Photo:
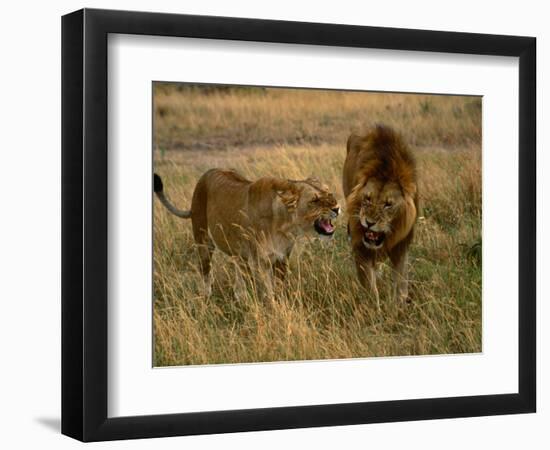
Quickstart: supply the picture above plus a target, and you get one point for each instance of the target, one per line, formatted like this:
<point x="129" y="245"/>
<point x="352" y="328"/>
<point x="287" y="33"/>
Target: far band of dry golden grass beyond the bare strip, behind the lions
<point x="187" y="118"/>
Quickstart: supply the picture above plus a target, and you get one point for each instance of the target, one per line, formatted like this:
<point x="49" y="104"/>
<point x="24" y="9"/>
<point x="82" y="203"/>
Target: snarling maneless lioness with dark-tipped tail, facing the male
<point x="257" y="222"/>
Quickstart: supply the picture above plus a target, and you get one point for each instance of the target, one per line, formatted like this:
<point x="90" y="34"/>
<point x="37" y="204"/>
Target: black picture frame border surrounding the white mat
<point x="84" y="224"/>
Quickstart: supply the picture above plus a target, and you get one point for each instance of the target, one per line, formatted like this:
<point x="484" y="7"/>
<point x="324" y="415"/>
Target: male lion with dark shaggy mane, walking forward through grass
<point x="380" y="185"/>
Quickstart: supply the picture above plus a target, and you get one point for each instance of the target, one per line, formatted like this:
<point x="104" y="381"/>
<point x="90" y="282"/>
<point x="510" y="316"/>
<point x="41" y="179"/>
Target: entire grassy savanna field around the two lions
<point x="322" y="313"/>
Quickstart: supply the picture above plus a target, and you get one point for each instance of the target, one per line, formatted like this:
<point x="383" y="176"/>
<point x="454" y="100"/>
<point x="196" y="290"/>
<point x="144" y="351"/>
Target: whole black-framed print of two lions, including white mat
<point x="273" y="224"/>
